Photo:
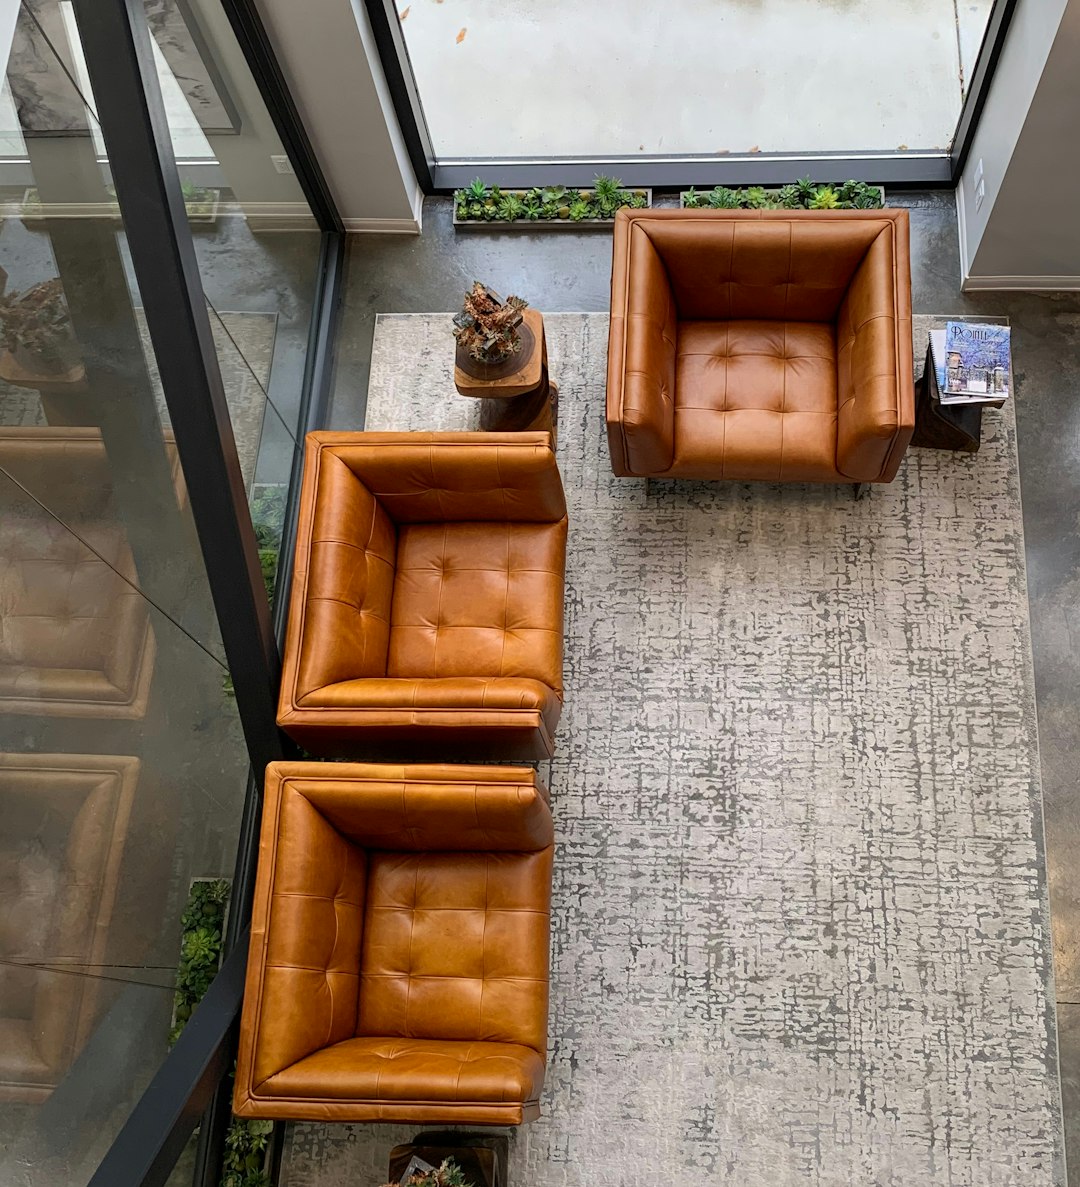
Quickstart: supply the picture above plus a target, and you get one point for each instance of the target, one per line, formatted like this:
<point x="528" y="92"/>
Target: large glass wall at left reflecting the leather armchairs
<point x="123" y="765"/>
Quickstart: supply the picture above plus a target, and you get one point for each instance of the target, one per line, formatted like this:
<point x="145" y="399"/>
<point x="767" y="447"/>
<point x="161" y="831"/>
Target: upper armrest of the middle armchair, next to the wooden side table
<point x="453" y="478"/>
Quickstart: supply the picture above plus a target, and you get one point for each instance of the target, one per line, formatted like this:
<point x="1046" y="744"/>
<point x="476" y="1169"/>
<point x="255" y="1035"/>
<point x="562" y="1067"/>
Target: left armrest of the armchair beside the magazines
<point x="641" y="357"/>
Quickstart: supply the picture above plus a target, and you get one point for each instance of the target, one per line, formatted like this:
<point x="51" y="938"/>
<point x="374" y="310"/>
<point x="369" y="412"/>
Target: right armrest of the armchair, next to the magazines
<point x="876" y="397"/>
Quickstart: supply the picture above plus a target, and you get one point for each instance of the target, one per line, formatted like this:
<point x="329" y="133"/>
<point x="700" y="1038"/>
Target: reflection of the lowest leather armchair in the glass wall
<point x="66" y="820"/>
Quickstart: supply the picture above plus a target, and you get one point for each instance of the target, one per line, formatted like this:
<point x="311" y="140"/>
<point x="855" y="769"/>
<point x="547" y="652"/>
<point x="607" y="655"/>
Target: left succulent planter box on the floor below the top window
<point x="480" y="205"/>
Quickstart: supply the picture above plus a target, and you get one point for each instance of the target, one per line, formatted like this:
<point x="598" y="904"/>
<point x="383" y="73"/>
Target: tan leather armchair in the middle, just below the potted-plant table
<point x="427" y="613"/>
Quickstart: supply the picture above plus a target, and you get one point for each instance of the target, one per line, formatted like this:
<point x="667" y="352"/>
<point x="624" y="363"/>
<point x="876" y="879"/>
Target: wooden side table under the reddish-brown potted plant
<point x="518" y="393"/>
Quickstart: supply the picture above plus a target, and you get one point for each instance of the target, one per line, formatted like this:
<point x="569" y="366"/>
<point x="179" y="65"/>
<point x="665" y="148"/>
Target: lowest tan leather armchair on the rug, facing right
<point x="399" y="956"/>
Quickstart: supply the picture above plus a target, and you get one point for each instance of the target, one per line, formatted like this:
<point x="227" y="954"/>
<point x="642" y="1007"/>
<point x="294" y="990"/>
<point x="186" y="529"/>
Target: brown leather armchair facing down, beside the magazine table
<point x="761" y="345"/>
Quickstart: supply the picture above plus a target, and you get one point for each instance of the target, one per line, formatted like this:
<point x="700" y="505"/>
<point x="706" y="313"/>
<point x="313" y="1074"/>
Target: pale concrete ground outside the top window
<point x="690" y="77"/>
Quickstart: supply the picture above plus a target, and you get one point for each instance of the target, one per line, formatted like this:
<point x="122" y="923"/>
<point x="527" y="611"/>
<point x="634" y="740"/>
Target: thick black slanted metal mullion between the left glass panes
<point x="120" y="62"/>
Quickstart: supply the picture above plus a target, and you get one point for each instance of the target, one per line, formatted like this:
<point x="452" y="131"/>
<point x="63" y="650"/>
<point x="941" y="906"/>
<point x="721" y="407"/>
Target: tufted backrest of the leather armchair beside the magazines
<point x="763" y="266"/>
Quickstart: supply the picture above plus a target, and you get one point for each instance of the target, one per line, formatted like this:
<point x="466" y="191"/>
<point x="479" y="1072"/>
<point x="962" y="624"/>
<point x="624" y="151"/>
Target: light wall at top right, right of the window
<point x="1027" y="234"/>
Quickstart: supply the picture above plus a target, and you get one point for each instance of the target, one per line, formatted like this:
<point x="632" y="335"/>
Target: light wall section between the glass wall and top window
<point x="328" y="55"/>
